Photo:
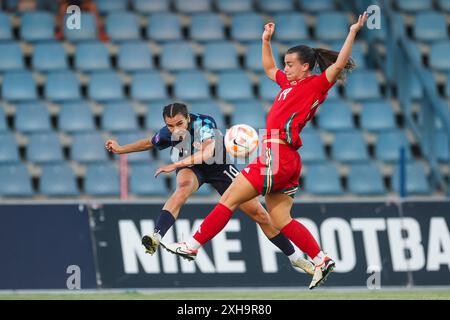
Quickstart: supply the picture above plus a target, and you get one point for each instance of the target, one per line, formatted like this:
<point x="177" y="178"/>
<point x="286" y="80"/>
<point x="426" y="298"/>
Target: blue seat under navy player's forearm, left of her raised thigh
<point x="144" y="183"/>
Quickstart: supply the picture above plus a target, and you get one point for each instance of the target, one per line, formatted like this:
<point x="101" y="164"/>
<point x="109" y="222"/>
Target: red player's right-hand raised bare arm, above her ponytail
<point x="333" y="71"/>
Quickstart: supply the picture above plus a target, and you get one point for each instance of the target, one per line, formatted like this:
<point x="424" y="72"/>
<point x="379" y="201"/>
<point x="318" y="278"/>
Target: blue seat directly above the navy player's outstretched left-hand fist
<point x="119" y="117"/>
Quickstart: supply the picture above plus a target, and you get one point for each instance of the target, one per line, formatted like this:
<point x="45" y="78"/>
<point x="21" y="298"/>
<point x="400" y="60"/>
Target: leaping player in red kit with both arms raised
<point x="275" y="174"/>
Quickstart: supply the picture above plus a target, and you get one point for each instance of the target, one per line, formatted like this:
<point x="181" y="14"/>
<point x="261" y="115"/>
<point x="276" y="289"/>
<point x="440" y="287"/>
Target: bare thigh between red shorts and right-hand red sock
<point x="279" y="206"/>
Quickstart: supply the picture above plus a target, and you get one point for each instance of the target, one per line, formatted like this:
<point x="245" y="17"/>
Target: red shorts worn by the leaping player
<point x="277" y="169"/>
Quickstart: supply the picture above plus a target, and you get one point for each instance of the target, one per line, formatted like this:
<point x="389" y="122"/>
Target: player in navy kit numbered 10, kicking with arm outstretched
<point x="186" y="133"/>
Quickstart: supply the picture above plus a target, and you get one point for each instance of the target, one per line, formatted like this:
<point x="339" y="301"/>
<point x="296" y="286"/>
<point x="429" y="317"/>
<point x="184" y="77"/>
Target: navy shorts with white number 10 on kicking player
<point x="220" y="176"/>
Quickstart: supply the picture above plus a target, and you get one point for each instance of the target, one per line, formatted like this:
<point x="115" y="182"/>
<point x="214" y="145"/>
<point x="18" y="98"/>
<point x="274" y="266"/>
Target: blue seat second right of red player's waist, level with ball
<point x="349" y="147"/>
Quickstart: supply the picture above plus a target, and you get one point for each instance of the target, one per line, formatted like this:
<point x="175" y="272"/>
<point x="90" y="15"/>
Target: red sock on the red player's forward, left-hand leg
<point x="214" y="222"/>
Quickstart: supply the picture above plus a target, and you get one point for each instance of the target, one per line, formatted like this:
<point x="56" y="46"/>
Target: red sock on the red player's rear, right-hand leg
<point x="301" y="237"/>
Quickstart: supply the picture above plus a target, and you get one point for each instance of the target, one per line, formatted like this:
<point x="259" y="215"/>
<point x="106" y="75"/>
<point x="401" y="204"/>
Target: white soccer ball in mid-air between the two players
<point x="241" y="140"/>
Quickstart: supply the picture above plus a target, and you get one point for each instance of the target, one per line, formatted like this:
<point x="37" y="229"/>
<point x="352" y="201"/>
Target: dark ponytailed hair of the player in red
<point x="322" y="57"/>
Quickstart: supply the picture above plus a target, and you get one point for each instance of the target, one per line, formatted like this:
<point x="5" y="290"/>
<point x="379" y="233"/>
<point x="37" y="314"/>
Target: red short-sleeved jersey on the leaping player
<point x="295" y="105"/>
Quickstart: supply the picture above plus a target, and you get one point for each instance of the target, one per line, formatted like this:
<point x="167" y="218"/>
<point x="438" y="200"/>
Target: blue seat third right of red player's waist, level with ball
<point x="387" y="147"/>
